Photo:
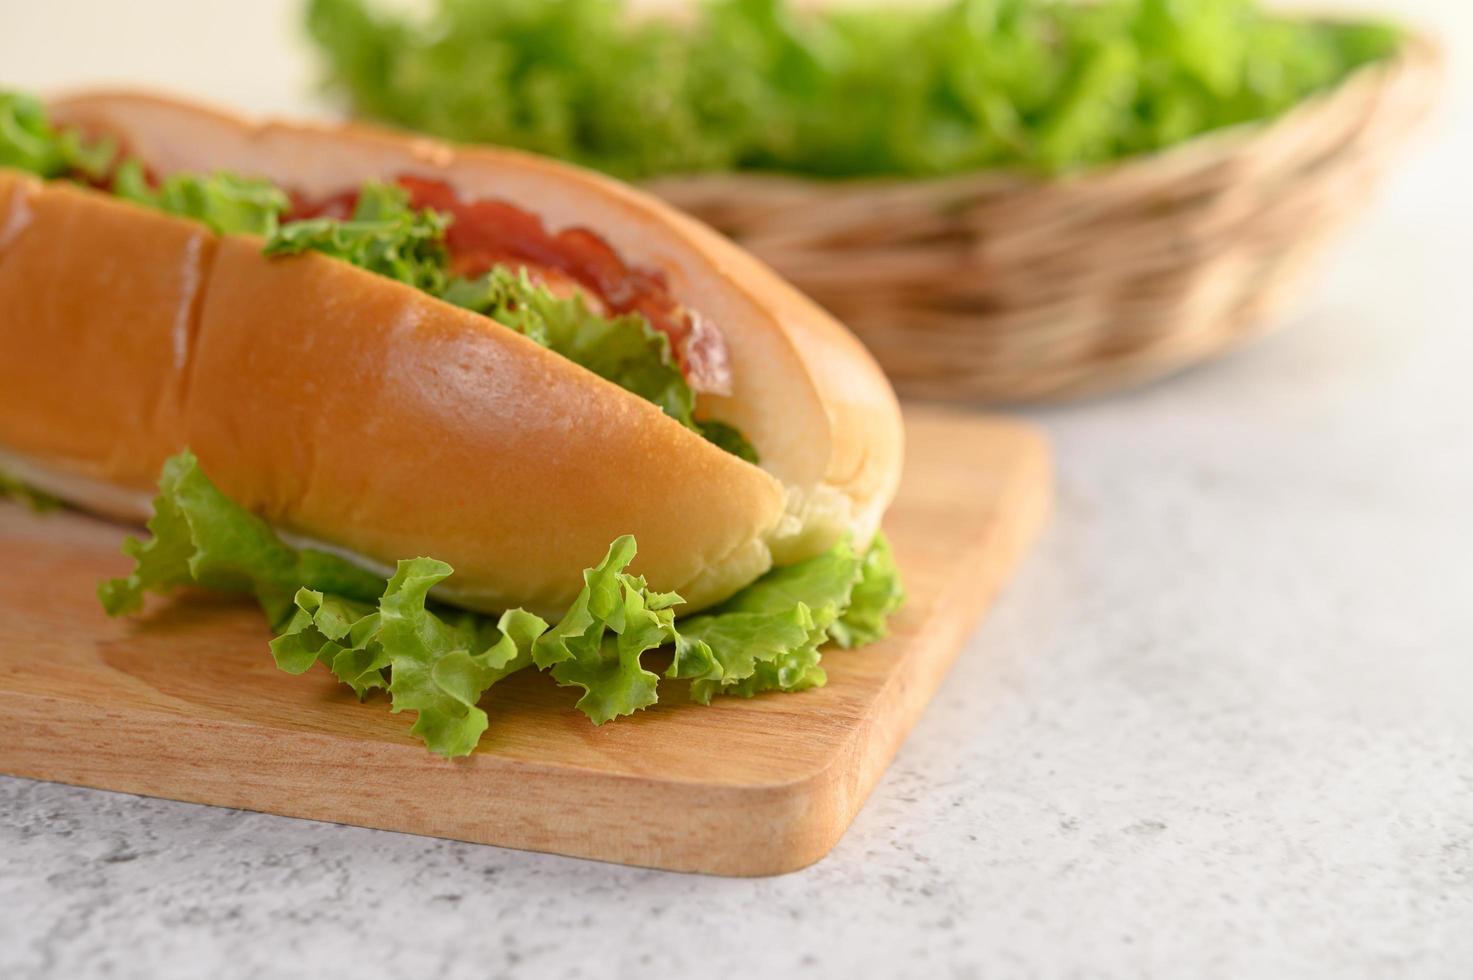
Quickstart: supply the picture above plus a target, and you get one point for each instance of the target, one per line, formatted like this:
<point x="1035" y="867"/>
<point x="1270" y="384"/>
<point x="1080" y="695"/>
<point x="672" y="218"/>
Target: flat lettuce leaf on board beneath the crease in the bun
<point x="201" y="537"/>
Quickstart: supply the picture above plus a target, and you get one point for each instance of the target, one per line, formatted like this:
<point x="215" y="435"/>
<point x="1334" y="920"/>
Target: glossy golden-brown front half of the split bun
<point x="347" y="410"/>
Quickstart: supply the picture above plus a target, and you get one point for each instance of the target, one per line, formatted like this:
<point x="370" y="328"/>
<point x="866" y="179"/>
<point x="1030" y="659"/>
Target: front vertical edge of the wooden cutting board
<point x="764" y="829"/>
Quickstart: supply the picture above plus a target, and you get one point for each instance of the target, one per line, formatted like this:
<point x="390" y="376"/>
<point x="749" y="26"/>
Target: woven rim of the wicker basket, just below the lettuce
<point x="1419" y="52"/>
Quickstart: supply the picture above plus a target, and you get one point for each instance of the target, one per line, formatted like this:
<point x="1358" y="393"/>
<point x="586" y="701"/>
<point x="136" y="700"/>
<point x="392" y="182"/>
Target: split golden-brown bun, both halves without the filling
<point x="360" y="413"/>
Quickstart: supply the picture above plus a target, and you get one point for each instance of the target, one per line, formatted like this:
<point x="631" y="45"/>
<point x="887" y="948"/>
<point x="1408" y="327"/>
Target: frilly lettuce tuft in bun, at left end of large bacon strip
<point x="385" y="237"/>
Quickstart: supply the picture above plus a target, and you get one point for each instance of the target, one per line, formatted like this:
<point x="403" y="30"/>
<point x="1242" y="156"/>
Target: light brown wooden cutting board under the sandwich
<point x="186" y="704"/>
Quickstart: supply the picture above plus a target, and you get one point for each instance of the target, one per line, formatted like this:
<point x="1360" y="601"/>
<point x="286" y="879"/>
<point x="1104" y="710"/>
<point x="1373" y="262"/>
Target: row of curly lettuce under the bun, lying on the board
<point x="440" y="662"/>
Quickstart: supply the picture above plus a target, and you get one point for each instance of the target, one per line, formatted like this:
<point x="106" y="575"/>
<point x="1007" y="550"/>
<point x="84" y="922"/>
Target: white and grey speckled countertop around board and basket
<point x="1220" y="726"/>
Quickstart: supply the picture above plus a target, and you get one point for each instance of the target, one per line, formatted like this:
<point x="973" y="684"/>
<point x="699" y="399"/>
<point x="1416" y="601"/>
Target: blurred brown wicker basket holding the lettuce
<point x="1001" y="288"/>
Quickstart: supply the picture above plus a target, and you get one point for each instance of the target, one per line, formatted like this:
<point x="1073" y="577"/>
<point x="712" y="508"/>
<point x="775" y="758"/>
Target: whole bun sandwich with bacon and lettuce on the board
<point x="381" y="379"/>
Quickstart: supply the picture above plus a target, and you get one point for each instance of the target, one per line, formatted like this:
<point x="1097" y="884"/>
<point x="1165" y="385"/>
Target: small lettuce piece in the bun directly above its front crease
<point x="226" y="203"/>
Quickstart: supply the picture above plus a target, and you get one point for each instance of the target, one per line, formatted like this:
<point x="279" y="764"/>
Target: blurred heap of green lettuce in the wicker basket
<point x="758" y="85"/>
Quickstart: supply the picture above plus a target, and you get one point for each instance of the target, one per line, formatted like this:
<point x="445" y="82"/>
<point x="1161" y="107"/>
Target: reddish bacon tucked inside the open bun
<point x="487" y="234"/>
